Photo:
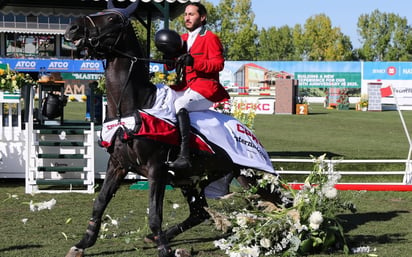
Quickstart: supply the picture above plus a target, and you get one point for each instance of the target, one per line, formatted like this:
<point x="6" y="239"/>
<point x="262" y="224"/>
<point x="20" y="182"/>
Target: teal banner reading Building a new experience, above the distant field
<point x="329" y="79"/>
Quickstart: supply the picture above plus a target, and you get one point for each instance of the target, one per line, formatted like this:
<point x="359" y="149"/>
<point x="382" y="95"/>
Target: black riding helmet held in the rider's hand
<point x="169" y="42"/>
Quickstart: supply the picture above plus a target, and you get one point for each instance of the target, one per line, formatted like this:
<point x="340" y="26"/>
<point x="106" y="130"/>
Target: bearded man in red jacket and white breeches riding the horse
<point x="200" y="86"/>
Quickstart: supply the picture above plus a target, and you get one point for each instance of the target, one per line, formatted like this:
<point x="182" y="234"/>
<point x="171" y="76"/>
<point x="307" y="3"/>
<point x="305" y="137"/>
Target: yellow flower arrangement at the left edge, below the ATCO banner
<point x="12" y="81"/>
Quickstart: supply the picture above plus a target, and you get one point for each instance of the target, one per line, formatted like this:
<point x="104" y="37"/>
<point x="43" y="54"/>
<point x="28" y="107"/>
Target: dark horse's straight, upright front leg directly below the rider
<point x="157" y="180"/>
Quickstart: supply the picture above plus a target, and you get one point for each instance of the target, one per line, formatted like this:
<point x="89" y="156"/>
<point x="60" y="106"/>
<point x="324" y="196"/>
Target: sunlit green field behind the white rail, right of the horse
<point x="346" y="133"/>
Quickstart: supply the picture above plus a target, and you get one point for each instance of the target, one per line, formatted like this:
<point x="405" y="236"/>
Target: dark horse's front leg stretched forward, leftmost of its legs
<point x="114" y="176"/>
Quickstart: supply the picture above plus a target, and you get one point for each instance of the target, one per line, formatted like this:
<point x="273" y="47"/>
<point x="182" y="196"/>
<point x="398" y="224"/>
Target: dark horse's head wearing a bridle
<point x="100" y="32"/>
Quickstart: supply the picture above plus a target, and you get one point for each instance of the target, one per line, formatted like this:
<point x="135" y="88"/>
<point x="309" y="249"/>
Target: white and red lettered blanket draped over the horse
<point x="236" y="139"/>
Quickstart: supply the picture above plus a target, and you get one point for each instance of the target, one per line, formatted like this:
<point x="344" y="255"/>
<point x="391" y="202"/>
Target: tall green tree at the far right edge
<point x="385" y="37"/>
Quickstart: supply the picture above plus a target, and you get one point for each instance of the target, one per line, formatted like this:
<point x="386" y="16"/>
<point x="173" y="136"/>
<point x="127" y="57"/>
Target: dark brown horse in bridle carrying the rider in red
<point x="109" y="35"/>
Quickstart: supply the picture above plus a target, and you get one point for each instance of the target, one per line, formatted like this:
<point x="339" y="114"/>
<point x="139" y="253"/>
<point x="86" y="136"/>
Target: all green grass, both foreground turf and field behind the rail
<point x="382" y="222"/>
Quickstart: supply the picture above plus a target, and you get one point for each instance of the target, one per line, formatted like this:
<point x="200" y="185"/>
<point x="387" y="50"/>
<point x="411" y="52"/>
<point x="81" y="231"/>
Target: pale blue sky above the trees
<point x="343" y="14"/>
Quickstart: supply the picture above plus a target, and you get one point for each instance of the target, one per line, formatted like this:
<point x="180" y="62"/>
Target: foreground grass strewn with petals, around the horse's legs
<point x="382" y="222"/>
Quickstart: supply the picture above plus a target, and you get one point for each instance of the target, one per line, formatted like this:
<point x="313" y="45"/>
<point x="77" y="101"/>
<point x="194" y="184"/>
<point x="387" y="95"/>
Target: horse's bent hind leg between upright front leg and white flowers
<point x="197" y="203"/>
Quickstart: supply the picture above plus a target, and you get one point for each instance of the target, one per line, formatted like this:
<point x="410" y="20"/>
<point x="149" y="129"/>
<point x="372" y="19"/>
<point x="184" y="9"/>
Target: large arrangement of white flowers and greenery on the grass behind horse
<point x="308" y="224"/>
